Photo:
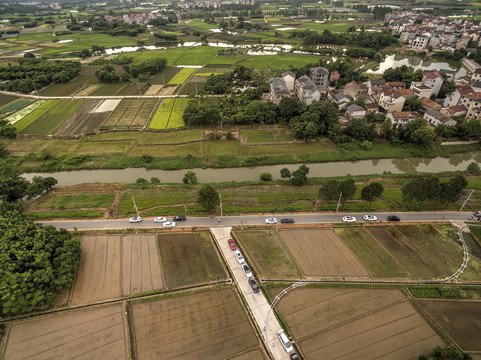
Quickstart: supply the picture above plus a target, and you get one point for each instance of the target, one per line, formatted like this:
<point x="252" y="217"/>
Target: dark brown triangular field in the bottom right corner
<point x="461" y="320"/>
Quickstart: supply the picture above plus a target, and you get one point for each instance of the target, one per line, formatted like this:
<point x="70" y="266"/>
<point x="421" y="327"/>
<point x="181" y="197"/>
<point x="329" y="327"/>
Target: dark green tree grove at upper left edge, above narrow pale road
<point x="33" y="74"/>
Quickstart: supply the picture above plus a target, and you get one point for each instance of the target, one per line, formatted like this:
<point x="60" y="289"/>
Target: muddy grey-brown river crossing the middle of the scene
<point x="329" y="169"/>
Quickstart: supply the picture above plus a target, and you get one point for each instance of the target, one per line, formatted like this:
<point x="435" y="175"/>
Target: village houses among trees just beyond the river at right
<point x="382" y="97"/>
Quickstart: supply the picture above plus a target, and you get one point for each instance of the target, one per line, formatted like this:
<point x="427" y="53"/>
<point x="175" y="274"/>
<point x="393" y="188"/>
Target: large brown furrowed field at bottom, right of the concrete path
<point x="333" y="323"/>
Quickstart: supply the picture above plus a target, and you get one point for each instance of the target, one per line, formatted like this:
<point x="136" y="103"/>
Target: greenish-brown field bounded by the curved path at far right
<point x="407" y="251"/>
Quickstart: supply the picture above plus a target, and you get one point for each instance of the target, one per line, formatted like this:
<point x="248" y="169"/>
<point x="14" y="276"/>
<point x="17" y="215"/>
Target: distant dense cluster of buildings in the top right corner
<point x="422" y="31"/>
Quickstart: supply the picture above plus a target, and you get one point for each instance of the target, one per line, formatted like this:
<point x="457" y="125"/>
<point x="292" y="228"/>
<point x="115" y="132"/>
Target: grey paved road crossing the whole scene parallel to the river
<point x="319" y="218"/>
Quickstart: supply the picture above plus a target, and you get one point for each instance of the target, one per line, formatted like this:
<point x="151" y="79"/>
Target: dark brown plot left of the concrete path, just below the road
<point x="189" y="258"/>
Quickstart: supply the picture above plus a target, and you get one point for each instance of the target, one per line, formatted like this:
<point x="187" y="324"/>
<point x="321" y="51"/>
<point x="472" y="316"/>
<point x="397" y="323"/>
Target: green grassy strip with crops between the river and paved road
<point x="115" y="200"/>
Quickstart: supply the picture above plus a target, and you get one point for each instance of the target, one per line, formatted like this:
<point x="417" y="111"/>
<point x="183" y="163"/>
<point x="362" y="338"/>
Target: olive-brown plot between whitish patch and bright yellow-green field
<point x="131" y="113"/>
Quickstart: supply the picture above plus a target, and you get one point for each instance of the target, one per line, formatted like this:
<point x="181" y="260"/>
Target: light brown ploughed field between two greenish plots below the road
<point x="322" y="253"/>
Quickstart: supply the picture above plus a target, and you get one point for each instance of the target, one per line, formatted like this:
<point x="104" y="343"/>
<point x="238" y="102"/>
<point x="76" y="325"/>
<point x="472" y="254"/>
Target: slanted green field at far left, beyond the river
<point x="51" y="119"/>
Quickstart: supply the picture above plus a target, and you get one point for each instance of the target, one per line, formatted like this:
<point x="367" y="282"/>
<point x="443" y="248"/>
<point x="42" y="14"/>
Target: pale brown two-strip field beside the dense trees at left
<point x="112" y="266"/>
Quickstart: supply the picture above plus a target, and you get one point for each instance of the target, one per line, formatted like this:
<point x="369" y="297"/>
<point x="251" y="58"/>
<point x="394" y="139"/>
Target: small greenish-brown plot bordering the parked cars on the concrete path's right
<point x="266" y="251"/>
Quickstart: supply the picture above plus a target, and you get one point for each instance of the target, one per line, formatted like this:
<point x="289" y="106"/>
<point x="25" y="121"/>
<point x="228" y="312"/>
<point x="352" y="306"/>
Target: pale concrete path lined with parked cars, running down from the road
<point x="257" y="302"/>
